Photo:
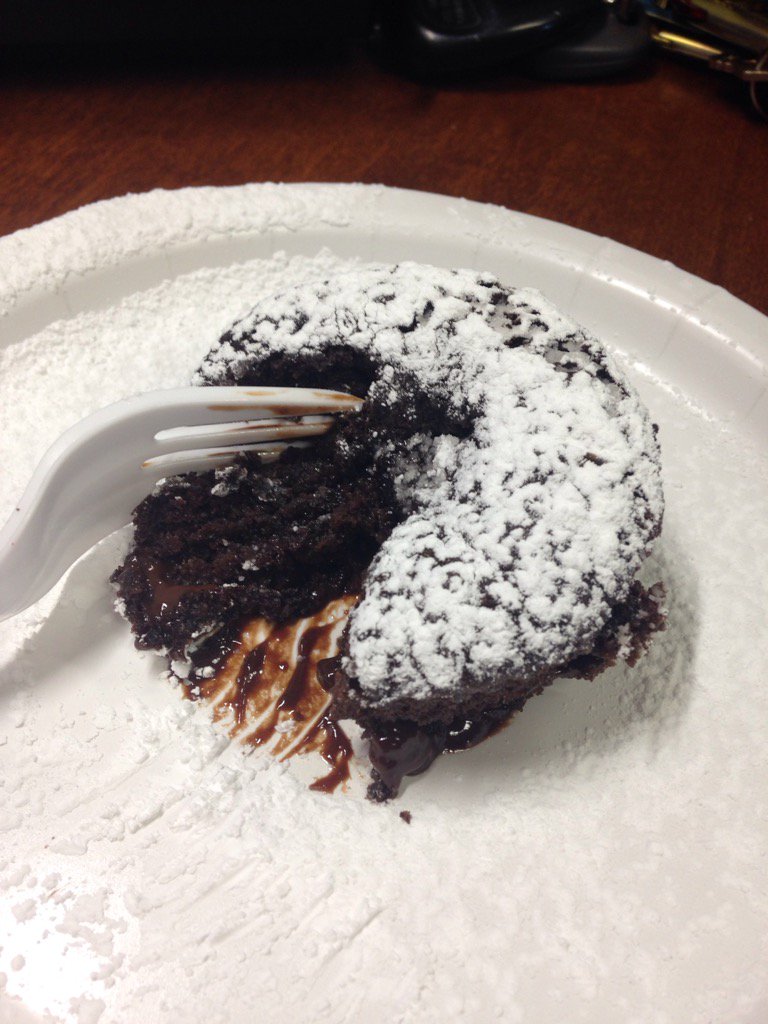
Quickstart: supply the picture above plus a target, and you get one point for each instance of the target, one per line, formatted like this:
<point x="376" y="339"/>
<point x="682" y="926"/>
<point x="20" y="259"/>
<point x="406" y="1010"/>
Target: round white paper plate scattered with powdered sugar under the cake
<point x="603" y="860"/>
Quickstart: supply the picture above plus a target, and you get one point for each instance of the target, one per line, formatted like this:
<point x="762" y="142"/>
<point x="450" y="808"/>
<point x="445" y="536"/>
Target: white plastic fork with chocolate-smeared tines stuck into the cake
<point x="94" y="477"/>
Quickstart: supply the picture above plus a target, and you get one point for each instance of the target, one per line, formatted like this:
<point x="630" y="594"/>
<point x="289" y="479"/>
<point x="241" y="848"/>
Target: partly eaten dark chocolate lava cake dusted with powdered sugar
<point x="491" y="504"/>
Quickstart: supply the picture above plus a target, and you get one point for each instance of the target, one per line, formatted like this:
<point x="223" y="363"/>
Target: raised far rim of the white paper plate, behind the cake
<point x="57" y="270"/>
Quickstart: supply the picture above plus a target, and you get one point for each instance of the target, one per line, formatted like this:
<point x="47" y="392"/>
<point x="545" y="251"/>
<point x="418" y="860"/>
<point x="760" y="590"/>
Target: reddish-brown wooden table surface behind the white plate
<point x="672" y="162"/>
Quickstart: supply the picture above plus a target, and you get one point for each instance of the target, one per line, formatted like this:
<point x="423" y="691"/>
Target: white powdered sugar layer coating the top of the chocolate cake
<point x="522" y="537"/>
